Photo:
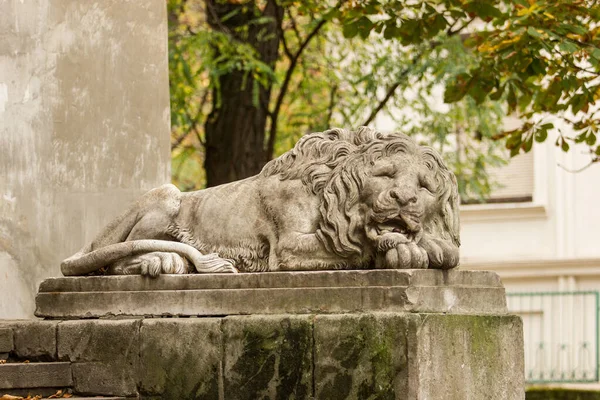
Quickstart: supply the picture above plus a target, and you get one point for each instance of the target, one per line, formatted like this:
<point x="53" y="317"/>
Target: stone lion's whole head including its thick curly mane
<point x="378" y="193"/>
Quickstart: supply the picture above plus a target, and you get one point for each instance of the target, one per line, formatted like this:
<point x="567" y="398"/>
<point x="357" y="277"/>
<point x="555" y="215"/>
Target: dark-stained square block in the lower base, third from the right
<point x="268" y="357"/>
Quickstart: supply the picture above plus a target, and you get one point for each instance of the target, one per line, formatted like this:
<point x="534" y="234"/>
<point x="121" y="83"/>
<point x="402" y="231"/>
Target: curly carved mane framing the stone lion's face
<point x="332" y="164"/>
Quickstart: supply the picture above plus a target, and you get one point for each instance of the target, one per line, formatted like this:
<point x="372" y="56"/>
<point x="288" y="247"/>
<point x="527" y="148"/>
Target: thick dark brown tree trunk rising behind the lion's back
<point x="235" y="129"/>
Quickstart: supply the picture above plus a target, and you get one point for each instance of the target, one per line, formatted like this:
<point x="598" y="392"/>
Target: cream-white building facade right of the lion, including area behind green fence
<point x="546" y="249"/>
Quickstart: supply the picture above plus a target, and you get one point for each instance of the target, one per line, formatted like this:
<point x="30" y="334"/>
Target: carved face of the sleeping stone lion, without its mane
<point x="397" y="198"/>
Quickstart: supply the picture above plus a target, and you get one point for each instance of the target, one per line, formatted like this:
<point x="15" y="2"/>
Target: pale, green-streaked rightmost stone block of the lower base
<point x="458" y="357"/>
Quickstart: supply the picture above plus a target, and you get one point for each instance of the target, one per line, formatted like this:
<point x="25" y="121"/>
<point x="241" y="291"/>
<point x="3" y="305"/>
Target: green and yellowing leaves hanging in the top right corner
<point x="538" y="57"/>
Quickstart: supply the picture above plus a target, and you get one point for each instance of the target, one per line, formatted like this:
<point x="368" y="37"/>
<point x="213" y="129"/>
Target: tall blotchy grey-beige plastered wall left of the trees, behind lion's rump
<point x="84" y="128"/>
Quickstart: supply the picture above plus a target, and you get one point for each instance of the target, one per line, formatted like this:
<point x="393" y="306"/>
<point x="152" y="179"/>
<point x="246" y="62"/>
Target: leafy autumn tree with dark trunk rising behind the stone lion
<point x="240" y="68"/>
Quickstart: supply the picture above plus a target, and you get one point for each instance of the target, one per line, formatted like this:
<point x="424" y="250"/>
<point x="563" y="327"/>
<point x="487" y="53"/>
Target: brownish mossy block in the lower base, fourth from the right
<point x="180" y="358"/>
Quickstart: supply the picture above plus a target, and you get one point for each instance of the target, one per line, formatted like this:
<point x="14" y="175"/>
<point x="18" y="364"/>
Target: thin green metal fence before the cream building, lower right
<point x="561" y="335"/>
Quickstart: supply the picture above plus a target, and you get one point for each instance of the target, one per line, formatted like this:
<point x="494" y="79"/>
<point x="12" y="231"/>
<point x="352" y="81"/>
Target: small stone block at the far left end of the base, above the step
<point x="34" y="339"/>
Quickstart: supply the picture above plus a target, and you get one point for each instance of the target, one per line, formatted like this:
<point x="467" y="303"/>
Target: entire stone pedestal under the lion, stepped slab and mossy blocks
<point x="379" y="334"/>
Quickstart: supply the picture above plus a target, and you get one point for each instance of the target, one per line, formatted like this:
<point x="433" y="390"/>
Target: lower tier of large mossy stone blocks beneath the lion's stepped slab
<point x="406" y="356"/>
